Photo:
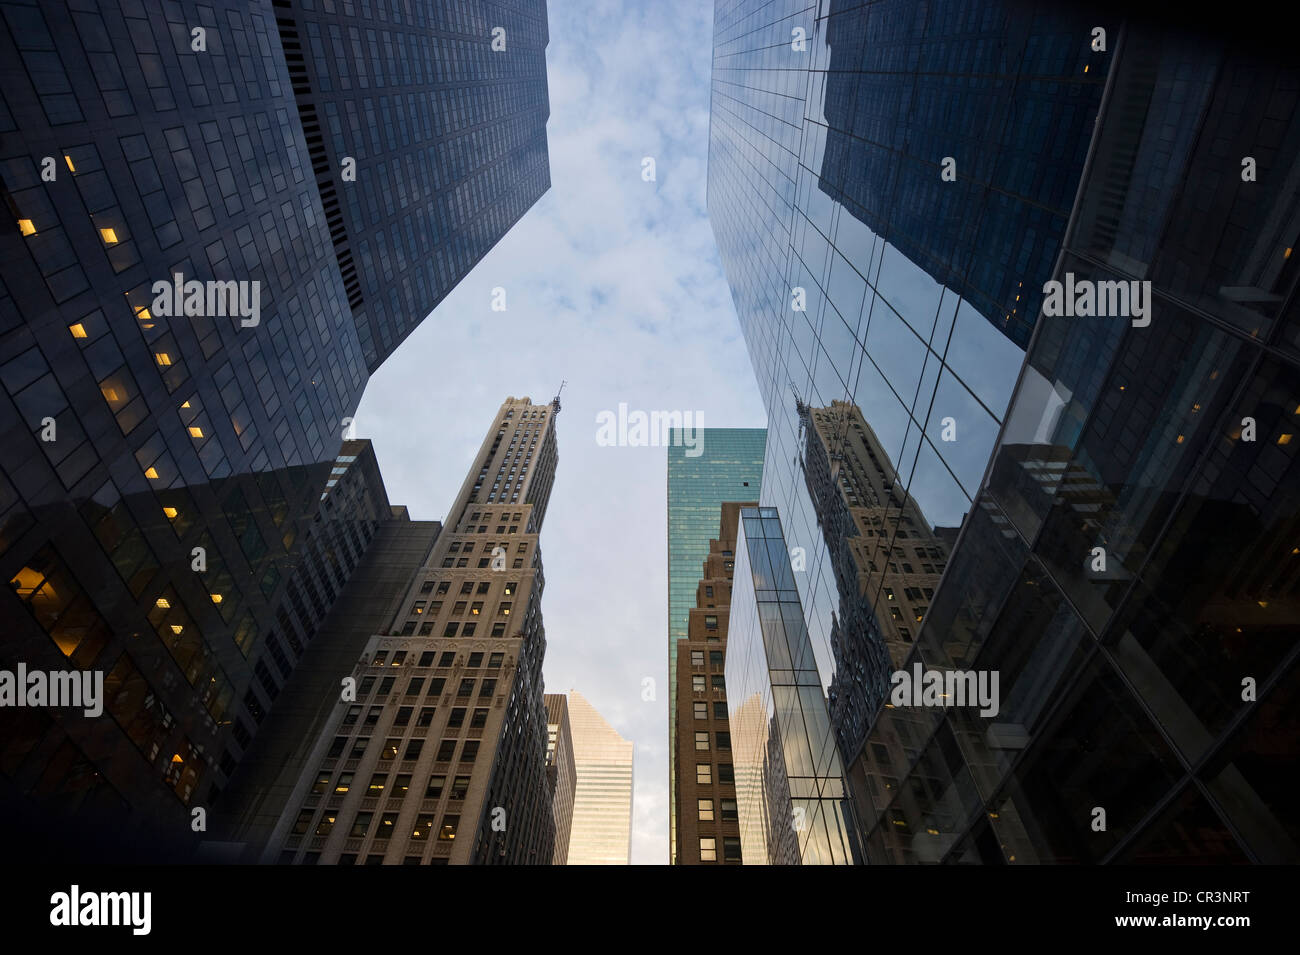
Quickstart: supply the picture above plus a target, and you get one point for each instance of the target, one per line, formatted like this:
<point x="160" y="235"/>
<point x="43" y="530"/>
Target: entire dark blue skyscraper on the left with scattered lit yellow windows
<point x="149" y="147"/>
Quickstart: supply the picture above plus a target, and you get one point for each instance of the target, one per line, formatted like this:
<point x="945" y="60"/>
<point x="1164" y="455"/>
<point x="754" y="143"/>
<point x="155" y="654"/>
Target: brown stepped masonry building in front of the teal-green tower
<point x="708" y="823"/>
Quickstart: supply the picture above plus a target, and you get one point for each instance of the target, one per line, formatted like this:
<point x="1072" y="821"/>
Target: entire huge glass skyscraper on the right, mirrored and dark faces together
<point x="1123" y="558"/>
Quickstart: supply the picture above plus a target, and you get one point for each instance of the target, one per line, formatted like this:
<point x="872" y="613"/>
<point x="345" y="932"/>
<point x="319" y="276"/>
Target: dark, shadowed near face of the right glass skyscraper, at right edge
<point x="1151" y="685"/>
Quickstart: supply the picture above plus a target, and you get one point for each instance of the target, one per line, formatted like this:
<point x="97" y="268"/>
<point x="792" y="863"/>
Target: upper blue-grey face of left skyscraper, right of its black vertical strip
<point x="447" y="132"/>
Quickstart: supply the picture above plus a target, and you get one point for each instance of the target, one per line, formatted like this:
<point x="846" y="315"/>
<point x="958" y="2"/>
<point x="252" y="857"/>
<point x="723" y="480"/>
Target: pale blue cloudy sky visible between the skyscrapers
<point x="616" y="286"/>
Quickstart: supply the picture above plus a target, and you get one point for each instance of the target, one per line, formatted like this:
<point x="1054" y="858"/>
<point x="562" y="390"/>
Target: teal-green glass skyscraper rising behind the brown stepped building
<point x="727" y="466"/>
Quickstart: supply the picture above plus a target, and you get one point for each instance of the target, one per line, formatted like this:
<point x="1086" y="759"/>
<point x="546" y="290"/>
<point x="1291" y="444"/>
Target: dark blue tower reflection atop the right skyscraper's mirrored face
<point x="1008" y="90"/>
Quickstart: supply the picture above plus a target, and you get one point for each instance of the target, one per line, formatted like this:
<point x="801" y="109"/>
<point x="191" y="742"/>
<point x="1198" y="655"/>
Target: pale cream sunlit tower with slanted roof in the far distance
<point x="603" y="800"/>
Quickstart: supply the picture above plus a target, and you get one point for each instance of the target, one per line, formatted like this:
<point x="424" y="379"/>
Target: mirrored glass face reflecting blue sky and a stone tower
<point x="886" y="309"/>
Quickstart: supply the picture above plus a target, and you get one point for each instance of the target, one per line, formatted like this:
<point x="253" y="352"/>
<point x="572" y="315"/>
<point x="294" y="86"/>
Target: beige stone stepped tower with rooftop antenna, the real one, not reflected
<point x="440" y="754"/>
